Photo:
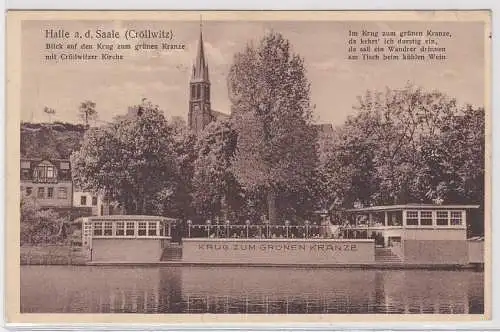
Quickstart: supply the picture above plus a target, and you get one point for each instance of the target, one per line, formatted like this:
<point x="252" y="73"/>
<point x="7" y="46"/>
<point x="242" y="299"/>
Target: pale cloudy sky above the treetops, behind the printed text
<point x="163" y="76"/>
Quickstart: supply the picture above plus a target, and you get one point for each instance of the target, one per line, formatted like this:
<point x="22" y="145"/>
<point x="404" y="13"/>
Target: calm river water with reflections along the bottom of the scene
<point x="79" y="289"/>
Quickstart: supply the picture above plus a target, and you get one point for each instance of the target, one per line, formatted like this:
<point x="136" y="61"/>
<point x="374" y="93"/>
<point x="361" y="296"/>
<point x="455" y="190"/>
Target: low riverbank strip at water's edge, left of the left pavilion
<point x="52" y="255"/>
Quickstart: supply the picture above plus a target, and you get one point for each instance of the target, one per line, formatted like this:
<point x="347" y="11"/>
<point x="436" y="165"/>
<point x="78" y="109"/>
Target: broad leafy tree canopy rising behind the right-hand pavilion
<point x="407" y="146"/>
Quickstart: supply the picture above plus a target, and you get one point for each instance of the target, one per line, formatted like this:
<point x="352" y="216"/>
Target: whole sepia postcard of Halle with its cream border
<point x="249" y="163"/>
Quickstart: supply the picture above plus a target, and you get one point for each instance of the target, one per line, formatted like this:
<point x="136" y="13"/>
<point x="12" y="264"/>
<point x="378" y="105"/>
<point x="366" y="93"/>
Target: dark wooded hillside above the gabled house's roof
<point x="50" y="140"/>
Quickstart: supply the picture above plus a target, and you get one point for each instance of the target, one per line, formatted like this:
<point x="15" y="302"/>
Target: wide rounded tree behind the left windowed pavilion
<point x="130" y="160"/>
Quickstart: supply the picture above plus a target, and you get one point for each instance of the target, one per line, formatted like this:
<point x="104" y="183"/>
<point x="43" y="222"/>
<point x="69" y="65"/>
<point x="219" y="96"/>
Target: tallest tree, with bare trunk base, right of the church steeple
<point x="269" y="93"/>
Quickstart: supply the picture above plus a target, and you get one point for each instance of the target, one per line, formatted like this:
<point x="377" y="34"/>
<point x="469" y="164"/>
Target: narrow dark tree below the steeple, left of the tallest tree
<point x="215" y="190"/>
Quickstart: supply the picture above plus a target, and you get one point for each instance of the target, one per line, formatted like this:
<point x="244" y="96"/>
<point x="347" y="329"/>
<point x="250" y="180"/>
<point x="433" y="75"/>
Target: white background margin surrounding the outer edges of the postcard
<point x="494" y="324"/>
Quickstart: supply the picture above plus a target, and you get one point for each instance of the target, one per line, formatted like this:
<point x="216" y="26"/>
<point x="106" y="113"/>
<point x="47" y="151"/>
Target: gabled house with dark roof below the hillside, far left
<point x="48" y="181"/>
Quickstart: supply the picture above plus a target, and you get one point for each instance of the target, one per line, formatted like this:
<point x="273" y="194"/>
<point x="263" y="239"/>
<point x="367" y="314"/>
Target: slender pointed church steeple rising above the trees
<point x="200" y="114"/>
